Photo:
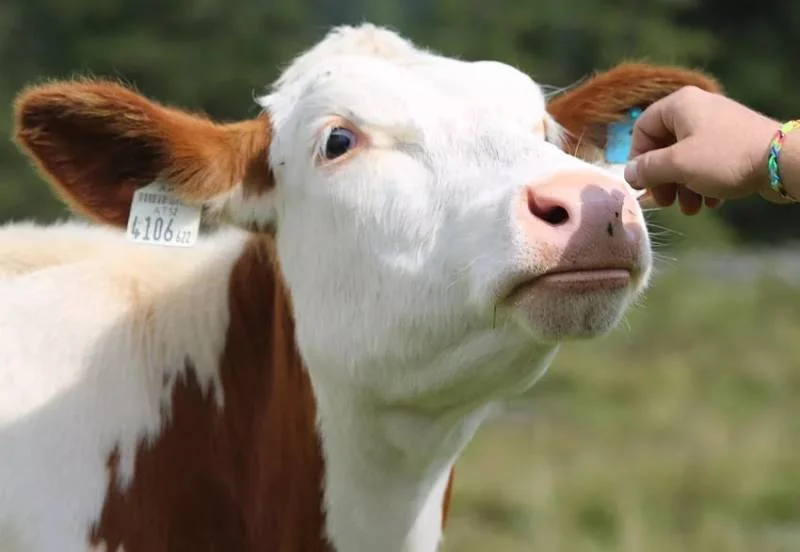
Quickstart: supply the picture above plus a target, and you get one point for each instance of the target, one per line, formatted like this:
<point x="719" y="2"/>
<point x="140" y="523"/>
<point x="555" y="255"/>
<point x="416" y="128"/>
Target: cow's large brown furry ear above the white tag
<point x="97" y="142"/>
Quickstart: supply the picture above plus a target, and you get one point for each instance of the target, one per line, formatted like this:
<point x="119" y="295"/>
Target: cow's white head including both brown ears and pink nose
<point x="426" y="211"/>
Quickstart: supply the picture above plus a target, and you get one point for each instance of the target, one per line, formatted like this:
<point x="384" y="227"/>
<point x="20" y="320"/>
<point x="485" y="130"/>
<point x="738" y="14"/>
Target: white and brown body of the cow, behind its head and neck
<point x="201" y="414"/>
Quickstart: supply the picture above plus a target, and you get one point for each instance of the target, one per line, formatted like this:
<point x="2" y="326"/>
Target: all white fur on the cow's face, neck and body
<point x="393" y="260"/>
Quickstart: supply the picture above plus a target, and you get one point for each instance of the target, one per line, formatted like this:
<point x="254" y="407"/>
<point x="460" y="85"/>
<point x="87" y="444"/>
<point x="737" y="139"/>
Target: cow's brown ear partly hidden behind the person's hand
<point x="587" y="109"/>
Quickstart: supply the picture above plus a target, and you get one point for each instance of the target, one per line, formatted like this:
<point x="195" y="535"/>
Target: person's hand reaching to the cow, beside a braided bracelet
<point x="699" y="147"/>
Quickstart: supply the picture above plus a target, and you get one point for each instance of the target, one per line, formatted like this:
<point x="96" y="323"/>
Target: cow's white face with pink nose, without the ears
<point x="419" y="199"/>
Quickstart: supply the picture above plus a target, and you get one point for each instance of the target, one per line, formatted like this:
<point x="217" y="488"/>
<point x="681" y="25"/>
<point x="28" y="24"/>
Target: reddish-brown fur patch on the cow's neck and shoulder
<point x="247" y="478"/>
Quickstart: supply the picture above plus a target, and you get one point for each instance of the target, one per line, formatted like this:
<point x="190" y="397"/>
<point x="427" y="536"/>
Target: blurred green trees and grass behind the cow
<point x="681" y="431"/>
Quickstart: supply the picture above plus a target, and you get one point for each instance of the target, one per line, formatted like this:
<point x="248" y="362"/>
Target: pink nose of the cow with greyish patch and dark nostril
<point x="582" y="217"/>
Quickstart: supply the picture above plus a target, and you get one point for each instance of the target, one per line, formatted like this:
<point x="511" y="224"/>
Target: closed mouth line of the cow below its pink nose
<point x="584" y="280"/>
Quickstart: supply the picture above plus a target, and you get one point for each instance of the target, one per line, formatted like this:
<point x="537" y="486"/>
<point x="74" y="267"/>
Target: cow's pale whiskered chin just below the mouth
<point x="556" y="313"/>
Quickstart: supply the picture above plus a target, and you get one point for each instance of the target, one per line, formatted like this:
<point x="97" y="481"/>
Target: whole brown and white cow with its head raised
<point x="396" y="243"/>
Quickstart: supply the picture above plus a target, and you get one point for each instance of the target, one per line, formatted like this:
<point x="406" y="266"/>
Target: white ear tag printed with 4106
<point x="159" y="218"/>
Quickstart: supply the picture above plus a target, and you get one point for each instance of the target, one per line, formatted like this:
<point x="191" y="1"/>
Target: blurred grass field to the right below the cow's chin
<point x="679" y="432"/>
